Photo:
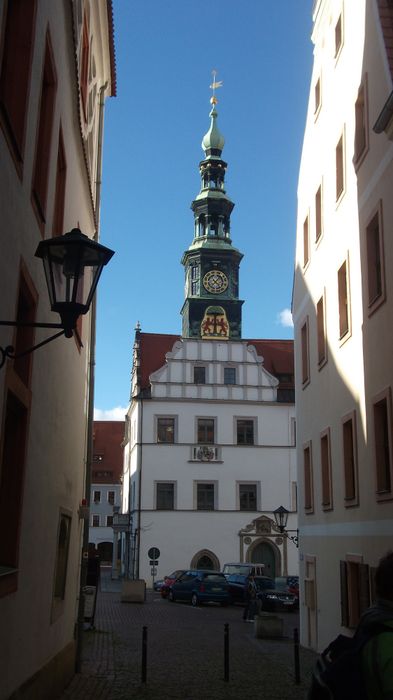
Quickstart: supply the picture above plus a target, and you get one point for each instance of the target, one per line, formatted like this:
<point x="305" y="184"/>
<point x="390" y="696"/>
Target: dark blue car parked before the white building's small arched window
<point x="200" y="586"/>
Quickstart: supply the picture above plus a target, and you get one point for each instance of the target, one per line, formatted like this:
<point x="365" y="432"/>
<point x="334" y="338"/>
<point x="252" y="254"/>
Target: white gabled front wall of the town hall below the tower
<point x="225" y="532"/>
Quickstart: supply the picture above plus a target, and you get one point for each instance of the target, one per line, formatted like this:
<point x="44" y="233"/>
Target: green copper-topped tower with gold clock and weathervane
<point x="212" y="308"/>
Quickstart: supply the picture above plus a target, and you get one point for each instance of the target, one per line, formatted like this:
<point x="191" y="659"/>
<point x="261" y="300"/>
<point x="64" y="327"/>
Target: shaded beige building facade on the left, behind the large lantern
<point x="56" y="69"/>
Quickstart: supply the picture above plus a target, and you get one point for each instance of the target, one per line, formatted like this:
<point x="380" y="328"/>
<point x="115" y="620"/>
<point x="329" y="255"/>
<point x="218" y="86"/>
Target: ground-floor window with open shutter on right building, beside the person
<point x="355" y="590"/>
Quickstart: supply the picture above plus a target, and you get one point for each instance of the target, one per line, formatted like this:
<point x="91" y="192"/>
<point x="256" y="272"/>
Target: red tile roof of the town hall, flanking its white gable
<point x="277" y="354"/>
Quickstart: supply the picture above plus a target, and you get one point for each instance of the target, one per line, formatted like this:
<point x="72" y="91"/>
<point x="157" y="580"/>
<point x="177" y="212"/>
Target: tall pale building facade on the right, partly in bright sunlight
<point x="343" y="336"/>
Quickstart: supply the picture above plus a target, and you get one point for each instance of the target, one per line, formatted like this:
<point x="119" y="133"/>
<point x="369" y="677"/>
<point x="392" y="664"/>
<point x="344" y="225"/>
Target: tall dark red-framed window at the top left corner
<point x="18" y="40"/>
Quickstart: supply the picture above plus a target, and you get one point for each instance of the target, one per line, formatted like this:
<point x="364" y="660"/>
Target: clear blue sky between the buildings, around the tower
<point x="165" y="53"/>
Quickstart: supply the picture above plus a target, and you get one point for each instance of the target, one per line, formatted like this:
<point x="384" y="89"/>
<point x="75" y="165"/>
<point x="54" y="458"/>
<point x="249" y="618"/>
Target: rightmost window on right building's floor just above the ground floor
<point x="383" y="444"/>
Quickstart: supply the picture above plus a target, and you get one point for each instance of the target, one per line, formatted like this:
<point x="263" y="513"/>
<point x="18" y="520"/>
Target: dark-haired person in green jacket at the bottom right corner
<point x="377" y="655"/>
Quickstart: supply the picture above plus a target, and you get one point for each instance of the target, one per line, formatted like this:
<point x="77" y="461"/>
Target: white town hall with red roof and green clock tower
<point x="210" y="430"/>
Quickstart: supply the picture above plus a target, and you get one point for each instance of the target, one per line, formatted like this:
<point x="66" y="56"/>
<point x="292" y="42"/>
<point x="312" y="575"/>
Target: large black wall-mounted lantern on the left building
<point x="66" y="261"/>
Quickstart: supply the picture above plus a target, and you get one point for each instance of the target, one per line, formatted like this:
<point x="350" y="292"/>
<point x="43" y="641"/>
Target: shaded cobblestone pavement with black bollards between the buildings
<point x="185" y="657"/>
